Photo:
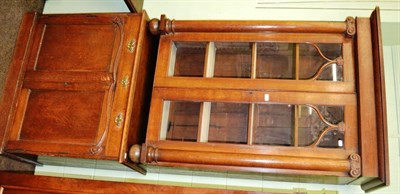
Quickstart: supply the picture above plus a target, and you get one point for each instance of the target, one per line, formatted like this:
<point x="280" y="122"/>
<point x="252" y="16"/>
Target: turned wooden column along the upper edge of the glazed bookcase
<point x="167" y="26"/>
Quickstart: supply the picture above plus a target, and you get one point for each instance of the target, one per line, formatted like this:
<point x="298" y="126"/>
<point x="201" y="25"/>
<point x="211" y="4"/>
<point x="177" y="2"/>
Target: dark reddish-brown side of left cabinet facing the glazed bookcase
<point x="139" y="99"/>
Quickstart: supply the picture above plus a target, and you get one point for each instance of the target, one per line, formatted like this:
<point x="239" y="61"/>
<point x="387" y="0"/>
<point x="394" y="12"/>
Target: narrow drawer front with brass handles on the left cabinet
<point x="126" y="83"/>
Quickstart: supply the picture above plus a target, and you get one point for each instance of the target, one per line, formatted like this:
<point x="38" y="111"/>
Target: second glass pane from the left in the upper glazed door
<point x="232" y="59"/>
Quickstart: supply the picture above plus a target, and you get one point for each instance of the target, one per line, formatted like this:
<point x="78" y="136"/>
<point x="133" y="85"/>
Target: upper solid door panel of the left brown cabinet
<point x="76" y="42"/>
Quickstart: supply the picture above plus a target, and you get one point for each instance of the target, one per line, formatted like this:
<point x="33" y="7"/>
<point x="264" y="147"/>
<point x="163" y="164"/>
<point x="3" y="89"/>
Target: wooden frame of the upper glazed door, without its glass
<point x="164" y="80"/>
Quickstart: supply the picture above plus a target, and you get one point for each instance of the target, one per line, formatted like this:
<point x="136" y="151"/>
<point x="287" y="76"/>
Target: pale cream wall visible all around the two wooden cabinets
<point x="247" y="9"/>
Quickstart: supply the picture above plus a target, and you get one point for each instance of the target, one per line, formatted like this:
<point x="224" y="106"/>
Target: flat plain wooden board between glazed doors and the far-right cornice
<point x="366" y="100"/>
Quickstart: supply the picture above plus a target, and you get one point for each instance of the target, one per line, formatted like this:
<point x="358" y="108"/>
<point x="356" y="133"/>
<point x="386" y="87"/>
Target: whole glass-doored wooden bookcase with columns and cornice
<point x="280" y="97"/>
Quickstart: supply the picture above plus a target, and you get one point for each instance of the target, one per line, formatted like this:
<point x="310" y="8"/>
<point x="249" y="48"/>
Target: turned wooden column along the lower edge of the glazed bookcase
<point x="350" y="165"/>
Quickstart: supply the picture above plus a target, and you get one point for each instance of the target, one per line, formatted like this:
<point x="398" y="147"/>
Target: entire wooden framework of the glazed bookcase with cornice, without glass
<point x="363" y="153"/>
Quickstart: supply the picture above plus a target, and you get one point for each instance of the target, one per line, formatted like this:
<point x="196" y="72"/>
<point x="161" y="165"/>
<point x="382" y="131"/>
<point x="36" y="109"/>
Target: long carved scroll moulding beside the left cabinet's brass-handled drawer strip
<point x="96" y="149"/>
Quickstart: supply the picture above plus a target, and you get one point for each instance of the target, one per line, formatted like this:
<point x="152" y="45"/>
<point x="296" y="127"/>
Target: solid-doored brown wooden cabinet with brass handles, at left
<point x="79" y="85"/>
